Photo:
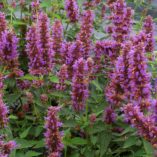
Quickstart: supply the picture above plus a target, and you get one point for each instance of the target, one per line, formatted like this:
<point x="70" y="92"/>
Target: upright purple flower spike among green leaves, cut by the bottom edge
<point x="53" y="135"/>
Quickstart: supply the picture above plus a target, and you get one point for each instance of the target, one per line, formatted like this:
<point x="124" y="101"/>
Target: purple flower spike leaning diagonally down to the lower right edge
<point x="145" y="124"/>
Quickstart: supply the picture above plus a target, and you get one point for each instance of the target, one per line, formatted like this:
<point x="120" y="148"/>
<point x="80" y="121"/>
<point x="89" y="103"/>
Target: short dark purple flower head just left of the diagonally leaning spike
<point x="109" y="116"/>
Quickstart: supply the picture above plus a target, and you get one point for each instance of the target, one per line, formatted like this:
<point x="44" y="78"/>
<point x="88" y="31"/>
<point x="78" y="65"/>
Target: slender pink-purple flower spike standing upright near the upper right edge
<point x="148" y="28"/>
